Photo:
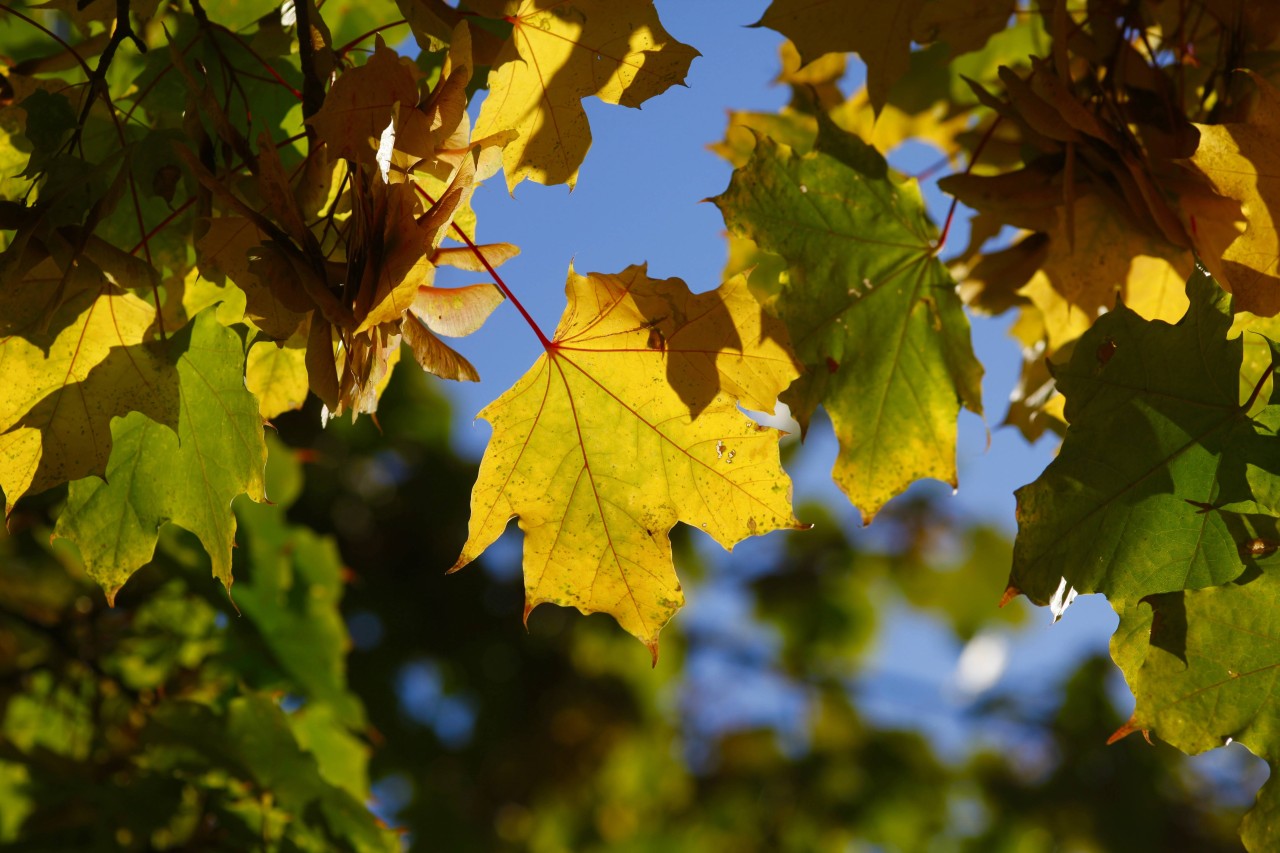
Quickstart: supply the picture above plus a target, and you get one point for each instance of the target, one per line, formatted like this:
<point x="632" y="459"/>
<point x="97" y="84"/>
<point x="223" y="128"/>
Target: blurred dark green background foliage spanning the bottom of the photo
<point x="175" y="723"/>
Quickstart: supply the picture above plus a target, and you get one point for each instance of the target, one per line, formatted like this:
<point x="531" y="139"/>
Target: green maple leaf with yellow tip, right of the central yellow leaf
<point x="875" y="316"/>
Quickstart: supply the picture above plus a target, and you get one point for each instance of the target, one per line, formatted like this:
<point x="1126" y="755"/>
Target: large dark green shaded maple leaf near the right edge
<point x="1156" y="432"/>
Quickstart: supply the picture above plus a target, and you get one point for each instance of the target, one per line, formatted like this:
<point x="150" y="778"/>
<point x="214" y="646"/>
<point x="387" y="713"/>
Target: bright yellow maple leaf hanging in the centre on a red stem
<point x="628" y="425"/>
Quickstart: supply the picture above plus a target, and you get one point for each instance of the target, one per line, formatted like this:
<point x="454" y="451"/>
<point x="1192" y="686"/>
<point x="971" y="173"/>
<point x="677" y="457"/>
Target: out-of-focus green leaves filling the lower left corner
<point x="235" y="729"/>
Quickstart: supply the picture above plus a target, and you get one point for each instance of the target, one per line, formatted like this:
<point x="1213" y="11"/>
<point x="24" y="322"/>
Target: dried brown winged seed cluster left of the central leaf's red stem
<point x="392" y="174"/>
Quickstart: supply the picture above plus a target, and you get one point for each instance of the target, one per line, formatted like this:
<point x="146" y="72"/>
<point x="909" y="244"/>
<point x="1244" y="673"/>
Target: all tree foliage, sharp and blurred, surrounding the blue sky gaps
<point x="221" y="227"/>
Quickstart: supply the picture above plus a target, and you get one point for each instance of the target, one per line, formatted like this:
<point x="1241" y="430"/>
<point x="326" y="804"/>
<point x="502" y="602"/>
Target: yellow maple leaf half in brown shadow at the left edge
<point x="66" y="385"/>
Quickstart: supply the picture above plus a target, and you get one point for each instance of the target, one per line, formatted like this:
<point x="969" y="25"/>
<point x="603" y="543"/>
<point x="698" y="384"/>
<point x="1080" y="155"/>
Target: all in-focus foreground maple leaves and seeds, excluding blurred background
<point x="212" y="215"/>
